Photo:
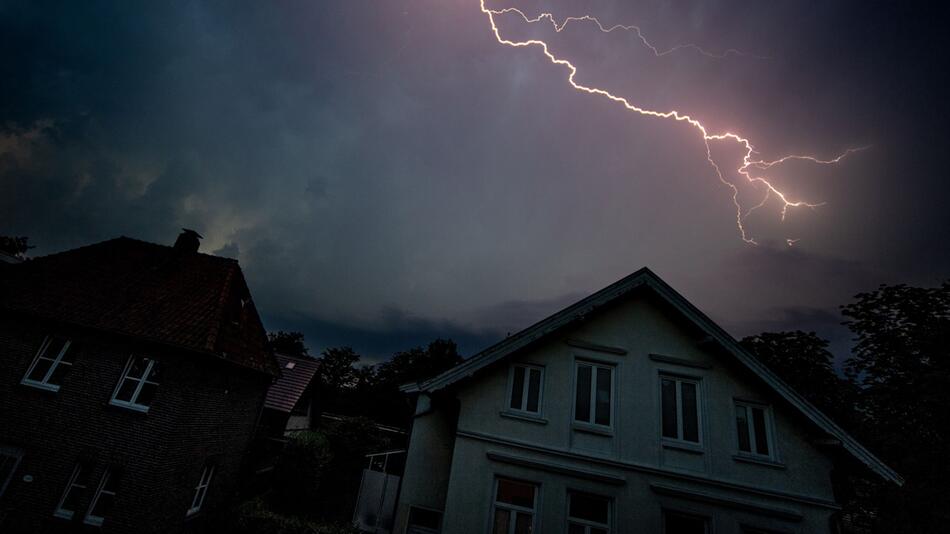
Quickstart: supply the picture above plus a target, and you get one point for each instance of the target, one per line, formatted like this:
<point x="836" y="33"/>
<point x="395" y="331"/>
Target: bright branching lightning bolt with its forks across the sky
<point x="749" y="162"/>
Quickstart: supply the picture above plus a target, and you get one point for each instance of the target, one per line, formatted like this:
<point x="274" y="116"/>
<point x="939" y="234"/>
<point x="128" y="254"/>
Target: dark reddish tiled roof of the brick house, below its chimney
<point x="185" y="299"/>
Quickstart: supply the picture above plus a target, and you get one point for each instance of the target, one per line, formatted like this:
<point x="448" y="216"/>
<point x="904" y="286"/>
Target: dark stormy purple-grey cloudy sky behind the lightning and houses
<point x="386" y="172"/>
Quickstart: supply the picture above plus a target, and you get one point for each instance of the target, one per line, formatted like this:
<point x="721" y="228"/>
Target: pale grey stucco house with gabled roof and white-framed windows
<point x="629" y="411"/>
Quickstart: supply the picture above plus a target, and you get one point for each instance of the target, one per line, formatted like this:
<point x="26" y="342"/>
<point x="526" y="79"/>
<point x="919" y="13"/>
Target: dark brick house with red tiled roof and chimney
<point x="132" y="378"/>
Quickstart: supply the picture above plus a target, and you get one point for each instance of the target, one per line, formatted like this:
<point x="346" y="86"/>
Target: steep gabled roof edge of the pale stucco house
<point x="646" y="279"/>
